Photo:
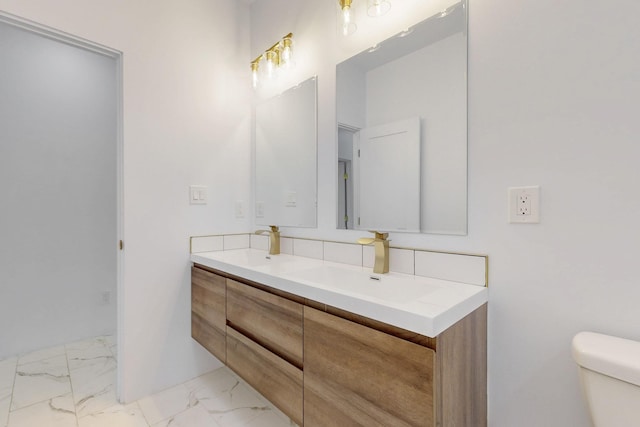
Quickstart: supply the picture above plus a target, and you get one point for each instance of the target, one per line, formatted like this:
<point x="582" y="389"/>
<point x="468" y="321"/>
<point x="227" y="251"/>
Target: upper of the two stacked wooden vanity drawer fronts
<point x="270" y="320"/>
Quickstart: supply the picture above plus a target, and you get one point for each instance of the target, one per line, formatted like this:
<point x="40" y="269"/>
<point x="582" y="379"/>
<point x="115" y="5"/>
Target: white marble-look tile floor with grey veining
<point x="73" y="385"/>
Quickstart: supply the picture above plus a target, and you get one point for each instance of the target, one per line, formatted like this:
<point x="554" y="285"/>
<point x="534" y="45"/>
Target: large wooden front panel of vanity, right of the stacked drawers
<point x="357" y="376"/>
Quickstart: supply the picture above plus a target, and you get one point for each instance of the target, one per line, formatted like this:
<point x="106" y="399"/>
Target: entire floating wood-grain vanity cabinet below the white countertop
<point x="326" y="367"/>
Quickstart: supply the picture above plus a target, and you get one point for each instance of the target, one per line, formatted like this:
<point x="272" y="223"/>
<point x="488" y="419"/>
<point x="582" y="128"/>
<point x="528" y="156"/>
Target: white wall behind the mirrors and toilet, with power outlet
<point x="553" y="100"/>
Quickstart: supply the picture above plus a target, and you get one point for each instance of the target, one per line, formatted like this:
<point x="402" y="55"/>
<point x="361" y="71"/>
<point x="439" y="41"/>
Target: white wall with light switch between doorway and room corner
<point x="186" y="121"/>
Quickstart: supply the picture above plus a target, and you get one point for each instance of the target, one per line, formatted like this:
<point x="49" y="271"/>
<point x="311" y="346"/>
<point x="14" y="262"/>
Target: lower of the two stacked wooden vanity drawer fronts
<point x="274" y="378"/>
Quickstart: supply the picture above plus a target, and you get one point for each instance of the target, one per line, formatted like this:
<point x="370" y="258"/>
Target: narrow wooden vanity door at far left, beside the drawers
<point x="208" y="311"/>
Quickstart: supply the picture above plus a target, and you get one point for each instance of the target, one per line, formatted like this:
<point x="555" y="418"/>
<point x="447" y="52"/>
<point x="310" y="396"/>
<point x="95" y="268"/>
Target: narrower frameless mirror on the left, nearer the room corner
<point x="285" y="158"/>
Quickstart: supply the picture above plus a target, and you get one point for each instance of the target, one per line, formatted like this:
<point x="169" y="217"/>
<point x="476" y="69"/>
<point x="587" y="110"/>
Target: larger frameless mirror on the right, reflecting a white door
<point x="402" y="130"/>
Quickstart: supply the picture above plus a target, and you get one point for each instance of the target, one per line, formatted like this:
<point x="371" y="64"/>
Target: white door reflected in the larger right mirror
<point x="387" y="176"/>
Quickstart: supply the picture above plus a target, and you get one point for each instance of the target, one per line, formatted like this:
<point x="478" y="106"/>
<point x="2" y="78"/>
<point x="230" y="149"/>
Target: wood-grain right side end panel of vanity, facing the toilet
<point x="461" y="370"/>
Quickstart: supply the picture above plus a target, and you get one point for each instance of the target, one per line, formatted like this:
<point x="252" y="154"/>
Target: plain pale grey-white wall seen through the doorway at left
<point x="58" y="137"/>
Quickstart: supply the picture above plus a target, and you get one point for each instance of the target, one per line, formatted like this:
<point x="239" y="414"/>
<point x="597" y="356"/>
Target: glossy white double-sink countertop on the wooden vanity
<point x="420" y="304"/>
